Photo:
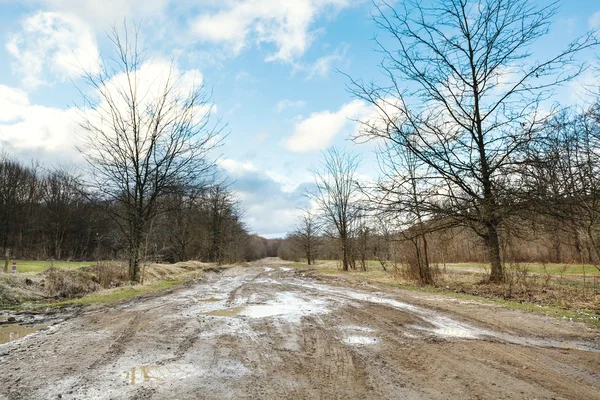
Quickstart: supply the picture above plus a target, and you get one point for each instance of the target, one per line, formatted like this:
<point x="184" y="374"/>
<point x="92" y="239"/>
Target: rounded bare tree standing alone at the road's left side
<point x="146" y="133"/>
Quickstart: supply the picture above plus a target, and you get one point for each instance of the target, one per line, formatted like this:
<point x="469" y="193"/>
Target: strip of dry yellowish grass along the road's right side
<point x="553" y="293"/>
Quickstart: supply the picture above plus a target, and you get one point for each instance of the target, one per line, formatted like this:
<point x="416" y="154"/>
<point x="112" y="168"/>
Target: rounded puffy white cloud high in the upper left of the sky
<point x="52" y="45"/>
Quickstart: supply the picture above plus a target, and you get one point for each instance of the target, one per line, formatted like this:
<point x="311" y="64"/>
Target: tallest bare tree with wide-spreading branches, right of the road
<point x="462" y="83"/>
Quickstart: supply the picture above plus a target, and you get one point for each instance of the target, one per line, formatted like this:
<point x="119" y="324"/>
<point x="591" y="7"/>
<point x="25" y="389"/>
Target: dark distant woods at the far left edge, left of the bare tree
<point x="43" y="214"/>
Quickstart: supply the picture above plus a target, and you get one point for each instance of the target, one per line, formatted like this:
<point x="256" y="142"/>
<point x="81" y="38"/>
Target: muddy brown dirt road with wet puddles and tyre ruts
<point x="270" y="332"/>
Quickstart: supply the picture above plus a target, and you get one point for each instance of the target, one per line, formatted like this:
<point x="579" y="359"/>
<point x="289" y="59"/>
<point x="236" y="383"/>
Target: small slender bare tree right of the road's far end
<point x="336" y="196"/>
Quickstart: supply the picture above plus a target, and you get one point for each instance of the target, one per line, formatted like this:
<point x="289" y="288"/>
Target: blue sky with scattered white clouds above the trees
<point x="273" y="67"/>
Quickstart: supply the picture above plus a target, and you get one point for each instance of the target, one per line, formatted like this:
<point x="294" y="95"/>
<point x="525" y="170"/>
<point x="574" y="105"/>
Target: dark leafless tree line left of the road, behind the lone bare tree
<point x="50" y="214"/>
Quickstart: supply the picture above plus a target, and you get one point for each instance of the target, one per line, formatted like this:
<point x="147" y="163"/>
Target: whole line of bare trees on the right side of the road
<point x="472" y="144"/>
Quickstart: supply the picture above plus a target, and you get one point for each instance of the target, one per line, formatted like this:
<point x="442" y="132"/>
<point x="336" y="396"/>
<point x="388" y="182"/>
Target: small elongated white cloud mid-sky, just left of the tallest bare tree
<point x="319" y="129"/>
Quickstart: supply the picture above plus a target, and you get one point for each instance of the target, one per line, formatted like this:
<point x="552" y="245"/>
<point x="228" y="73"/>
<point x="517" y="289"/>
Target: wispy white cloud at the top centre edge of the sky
<point x="284" y="24"/>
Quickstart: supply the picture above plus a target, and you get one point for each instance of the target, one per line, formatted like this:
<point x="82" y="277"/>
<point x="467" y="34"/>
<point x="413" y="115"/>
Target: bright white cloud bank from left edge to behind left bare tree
<point x="51" y="134"/>
